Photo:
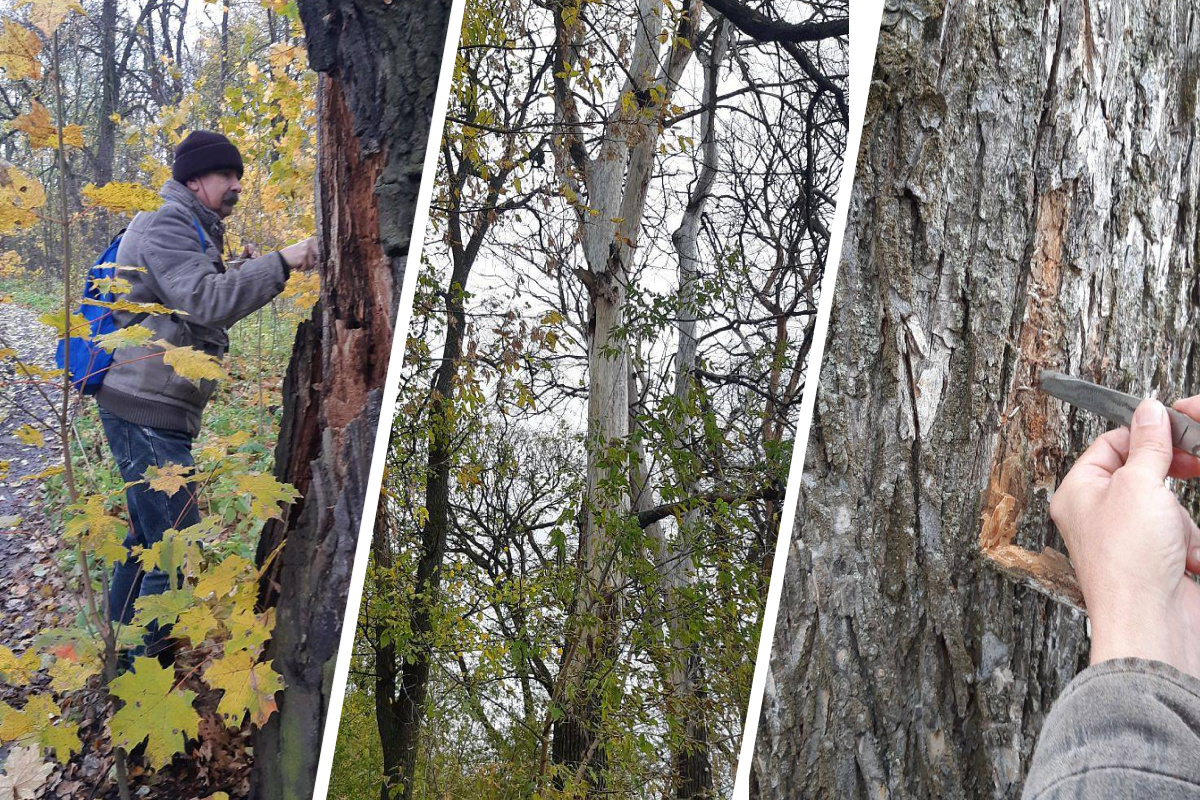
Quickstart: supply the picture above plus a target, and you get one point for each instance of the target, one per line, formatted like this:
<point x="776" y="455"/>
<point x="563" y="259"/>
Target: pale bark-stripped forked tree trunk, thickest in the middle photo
<point x="615" y="184"/>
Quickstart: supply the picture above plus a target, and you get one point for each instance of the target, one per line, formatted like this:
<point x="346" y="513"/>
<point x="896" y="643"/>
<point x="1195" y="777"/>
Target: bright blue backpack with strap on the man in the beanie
<point x="89" y="362"/>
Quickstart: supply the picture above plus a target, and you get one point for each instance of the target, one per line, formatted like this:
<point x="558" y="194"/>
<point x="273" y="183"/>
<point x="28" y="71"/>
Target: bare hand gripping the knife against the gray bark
<point x="1132" y="542"/>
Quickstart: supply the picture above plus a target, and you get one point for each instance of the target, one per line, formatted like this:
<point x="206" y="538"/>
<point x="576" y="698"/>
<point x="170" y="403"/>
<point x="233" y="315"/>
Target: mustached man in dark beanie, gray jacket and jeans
<point x="151" y="414"/>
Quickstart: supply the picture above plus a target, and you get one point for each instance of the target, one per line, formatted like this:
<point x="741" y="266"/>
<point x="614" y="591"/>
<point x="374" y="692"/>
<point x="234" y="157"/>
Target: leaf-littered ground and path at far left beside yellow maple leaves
<point x="37" y="596"/>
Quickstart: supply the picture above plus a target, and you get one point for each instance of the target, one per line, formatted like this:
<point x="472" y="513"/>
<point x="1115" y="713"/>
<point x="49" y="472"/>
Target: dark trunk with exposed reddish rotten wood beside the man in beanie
<point x="381" y="64"/>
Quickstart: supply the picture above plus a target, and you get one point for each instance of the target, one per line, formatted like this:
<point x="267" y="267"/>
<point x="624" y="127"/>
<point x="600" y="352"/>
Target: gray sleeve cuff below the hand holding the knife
<point x="1124" y="729"/>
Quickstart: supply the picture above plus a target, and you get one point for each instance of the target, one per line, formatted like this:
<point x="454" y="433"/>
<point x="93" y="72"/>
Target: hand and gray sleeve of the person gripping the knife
<point x="1130" y="725"/>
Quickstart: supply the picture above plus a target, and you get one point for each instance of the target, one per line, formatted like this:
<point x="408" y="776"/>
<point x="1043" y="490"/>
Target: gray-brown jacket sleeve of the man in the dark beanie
<point x="191" y="282"/>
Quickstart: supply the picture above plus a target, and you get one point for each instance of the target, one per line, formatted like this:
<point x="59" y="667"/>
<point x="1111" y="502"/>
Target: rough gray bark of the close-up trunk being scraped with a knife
<point x="1025" y="200"/>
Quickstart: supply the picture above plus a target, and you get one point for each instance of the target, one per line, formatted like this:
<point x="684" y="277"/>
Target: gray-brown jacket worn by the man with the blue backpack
<point x="177" y="274"/>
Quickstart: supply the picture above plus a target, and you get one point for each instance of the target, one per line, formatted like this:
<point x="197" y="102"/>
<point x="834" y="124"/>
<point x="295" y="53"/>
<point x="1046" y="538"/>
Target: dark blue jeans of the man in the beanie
<point x="152" y="514"/>
